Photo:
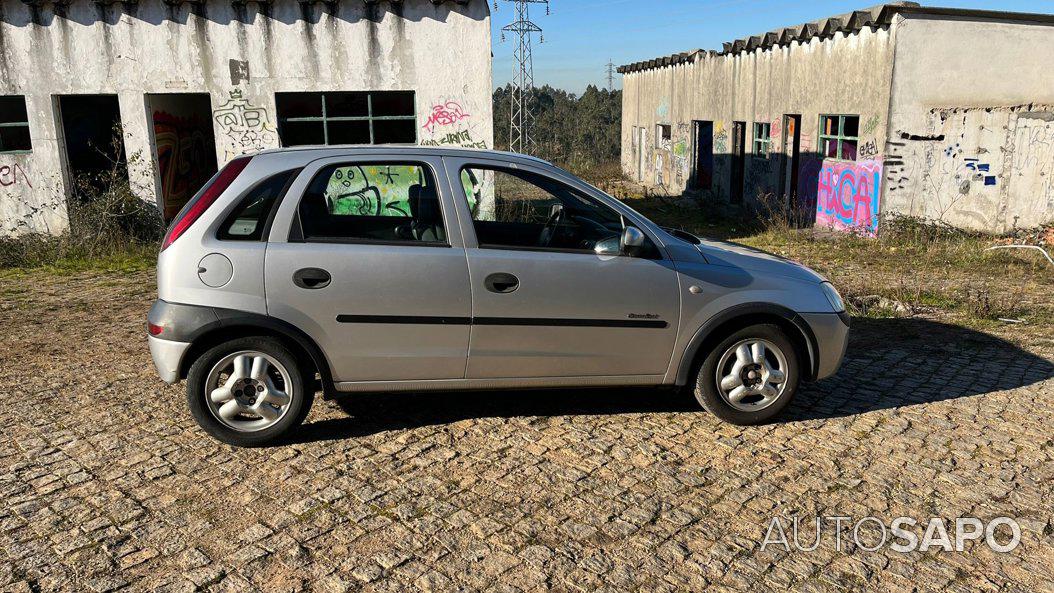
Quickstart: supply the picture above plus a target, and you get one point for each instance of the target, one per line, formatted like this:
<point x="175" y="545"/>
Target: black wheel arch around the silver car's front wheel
<point x="745" y="315"/>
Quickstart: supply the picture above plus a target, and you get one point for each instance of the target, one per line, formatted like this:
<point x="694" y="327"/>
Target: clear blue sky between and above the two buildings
<point x="582" y="35"/>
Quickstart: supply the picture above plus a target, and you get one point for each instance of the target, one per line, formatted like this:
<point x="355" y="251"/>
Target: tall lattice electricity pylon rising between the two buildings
<point x="523" y="75"/>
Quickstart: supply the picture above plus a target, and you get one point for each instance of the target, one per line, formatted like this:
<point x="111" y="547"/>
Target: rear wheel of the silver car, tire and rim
<point x="255" y="413"/>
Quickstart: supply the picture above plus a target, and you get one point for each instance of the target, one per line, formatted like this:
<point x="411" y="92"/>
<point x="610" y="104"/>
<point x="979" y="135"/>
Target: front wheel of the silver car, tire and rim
<point x="763" y="397"/>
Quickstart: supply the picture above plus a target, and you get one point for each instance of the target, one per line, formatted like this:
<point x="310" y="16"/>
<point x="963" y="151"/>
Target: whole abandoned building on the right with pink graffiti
<point x="901" y="109"/>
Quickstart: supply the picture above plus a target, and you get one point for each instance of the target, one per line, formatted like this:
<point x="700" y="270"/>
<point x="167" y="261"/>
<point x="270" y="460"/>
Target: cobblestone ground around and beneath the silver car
<point x="108" y="484"/>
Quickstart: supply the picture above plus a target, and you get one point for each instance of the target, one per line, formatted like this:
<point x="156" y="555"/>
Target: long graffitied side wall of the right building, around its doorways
<point x="849" y="74"/>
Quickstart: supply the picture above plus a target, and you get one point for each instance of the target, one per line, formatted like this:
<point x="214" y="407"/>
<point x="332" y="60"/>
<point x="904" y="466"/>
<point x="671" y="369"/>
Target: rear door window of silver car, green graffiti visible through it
<point x="389" y="203"/>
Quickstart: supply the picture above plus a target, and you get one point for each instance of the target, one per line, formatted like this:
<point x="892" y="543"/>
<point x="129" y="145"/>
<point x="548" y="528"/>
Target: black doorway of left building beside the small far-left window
<point x="94" y="144"/>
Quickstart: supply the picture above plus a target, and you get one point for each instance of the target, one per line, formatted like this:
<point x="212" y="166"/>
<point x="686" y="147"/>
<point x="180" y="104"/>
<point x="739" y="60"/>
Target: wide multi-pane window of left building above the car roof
<point x="381" y="117"/>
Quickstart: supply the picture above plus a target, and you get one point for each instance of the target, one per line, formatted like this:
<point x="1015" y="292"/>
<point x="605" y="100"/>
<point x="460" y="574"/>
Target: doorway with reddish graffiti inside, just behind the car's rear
<point x="185" y="147"/>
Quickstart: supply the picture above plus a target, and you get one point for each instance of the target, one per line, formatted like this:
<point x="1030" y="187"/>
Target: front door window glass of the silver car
<point x="517" y="209"/>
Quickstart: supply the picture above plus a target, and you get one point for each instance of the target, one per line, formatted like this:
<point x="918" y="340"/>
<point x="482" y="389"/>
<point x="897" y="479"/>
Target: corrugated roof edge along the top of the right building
<point x="874" y="17"/>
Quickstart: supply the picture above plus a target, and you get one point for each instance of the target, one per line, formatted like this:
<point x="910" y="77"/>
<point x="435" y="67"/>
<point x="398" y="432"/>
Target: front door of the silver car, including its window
<point x="558" y="309"/>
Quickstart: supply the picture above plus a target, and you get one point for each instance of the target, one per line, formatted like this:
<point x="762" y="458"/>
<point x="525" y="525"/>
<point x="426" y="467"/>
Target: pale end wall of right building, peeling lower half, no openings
<point x="972" y="128"/>
